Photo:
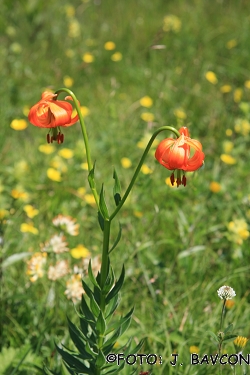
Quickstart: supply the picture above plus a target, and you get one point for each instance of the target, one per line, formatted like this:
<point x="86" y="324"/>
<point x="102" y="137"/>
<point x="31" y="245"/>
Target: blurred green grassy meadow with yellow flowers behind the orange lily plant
<point x="192" y="58"/>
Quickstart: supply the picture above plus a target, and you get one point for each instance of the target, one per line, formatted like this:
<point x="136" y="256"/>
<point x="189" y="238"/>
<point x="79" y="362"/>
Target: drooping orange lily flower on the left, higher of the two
<point x="52" y="113"/>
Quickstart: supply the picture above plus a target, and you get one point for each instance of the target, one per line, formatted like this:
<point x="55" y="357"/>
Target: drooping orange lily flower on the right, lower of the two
<point x="175" y="154"/>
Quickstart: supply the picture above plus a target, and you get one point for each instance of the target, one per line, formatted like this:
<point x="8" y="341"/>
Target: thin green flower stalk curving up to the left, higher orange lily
<point x="85" y="137"/>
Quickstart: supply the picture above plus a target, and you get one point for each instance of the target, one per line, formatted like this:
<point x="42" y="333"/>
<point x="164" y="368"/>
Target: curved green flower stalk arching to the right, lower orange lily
<point x="140" y="165"/>
